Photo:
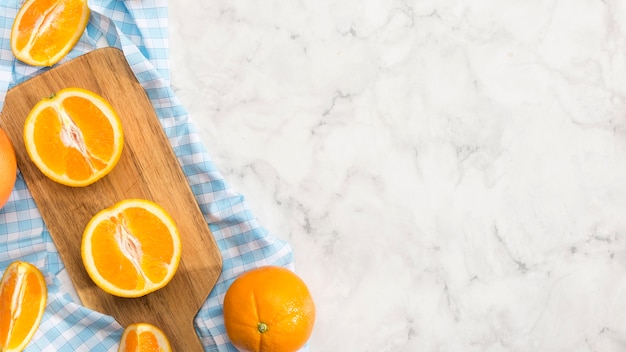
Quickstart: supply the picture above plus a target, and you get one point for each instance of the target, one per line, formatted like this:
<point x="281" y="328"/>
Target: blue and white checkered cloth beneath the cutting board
<point x="140" y="29"/>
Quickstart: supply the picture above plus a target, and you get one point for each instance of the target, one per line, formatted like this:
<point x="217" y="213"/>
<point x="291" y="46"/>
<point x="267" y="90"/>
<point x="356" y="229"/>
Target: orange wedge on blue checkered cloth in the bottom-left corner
<point x="23" y="295"/>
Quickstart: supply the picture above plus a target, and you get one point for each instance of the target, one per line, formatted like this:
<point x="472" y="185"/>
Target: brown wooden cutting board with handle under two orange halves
<point x="147" y="169"/>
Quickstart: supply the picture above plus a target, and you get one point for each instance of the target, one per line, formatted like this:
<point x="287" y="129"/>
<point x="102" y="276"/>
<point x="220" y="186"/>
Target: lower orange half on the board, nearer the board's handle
<point x="132" y="248"/>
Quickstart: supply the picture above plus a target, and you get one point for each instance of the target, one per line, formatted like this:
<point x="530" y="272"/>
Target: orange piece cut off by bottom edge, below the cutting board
<point x="144" y="337"/>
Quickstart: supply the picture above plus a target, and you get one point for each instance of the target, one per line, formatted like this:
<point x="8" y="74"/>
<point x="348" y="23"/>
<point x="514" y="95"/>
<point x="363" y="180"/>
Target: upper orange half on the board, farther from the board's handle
<point x="74" y="137"/>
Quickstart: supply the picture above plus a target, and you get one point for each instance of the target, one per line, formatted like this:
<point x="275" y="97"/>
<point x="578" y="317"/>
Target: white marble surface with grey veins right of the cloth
<point x="450" y="174"/>
